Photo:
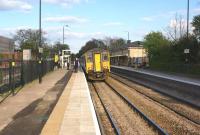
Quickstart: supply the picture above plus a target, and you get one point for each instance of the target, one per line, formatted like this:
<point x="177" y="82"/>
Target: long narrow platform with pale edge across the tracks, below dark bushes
<point x="184" y="79"/>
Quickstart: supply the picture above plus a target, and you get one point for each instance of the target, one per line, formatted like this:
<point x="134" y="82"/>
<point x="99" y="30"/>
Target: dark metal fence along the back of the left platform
<point x="15" y="73"/>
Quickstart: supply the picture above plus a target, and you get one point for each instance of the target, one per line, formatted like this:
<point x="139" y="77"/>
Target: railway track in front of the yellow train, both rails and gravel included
<point x="124" y="116"/>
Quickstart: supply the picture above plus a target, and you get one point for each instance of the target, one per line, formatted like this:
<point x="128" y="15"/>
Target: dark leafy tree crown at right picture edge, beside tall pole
<point x="196" y="25"/>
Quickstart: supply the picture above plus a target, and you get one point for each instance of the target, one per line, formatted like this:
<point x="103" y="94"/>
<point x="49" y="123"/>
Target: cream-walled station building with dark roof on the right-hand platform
<point x="132" y="54"/>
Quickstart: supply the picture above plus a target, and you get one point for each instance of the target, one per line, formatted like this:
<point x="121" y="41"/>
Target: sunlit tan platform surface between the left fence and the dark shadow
<point x="30" y="93"/>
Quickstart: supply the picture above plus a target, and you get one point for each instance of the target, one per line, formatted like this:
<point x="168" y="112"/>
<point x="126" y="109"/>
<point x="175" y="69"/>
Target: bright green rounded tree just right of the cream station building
<point x="153" y="42"/>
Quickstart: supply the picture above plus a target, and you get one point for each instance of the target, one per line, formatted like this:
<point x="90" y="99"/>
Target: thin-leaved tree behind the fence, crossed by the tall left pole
<point x="28" y="39"/>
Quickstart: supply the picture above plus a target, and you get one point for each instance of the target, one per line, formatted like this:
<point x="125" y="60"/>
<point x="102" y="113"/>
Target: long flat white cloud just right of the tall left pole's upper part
<point x="66" y="19"/>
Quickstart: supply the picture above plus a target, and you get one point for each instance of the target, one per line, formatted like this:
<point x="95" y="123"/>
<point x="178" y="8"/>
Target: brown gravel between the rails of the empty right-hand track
<point x="191" y="113"/>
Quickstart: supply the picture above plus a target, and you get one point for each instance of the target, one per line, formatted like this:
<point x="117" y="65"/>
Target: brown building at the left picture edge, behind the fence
<point x="6" y="45"/>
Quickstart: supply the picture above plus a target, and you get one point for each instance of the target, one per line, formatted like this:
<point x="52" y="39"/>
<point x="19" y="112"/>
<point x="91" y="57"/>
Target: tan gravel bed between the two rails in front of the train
<point x="127" y="120"/>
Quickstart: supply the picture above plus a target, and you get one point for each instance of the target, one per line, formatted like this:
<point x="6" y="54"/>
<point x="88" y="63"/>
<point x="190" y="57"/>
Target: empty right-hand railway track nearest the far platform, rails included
<point x="193" y="115"/>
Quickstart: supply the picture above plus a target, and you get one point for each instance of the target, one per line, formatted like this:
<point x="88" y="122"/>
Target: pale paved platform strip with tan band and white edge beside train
<point x="74" y="113"/>
